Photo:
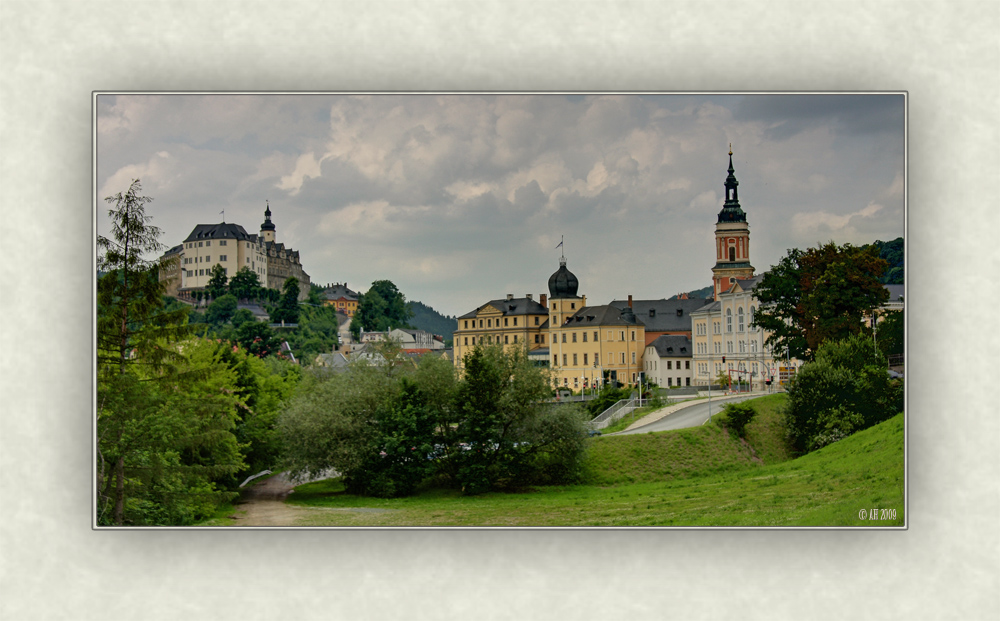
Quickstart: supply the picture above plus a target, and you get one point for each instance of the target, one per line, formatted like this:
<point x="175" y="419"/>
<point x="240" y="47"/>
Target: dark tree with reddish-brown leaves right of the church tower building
<point x="818" y="295"/>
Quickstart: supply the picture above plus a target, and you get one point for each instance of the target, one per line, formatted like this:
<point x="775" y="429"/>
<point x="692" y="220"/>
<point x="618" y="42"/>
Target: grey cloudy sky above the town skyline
<point x="459" y="199"/>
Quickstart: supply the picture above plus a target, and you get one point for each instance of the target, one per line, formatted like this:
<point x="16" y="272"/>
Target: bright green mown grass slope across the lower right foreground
<point x="695" y="477"/>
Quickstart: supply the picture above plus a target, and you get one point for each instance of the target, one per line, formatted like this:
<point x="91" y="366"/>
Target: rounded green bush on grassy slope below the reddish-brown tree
<point x="844" y="390"/>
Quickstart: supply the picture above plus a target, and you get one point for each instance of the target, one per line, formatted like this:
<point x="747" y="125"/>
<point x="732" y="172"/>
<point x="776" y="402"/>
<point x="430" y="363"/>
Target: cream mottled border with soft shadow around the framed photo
<point x="54" y="54"/>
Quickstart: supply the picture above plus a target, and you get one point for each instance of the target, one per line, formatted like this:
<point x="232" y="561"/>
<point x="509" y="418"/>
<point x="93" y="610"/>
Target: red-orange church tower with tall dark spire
<point x="732" y="239"/>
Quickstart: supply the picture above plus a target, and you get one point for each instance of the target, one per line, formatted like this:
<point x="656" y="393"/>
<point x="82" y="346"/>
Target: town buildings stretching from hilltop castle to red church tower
<point x="680" y="341"/>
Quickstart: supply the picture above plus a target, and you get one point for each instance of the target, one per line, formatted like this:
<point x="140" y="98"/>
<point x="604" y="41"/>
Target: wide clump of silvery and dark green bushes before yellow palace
<point x="387" y="426"/>
